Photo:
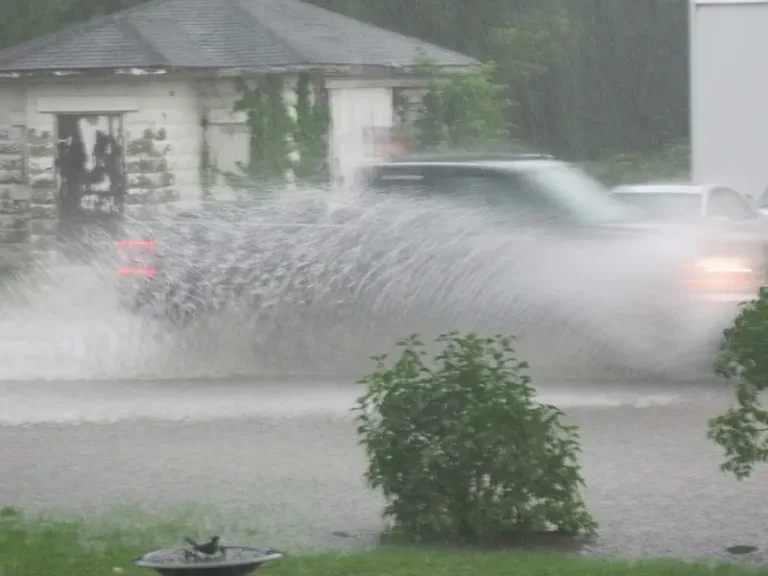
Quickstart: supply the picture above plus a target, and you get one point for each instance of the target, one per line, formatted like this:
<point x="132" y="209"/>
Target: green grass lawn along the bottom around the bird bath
<point x="38" y="547"/>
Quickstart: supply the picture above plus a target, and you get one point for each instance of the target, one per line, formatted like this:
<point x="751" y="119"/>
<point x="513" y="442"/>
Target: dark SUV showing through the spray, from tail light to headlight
<point x="527" y="191"/>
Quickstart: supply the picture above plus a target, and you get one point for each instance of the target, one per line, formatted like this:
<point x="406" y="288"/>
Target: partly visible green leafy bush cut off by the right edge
<point x="742" y="431"/>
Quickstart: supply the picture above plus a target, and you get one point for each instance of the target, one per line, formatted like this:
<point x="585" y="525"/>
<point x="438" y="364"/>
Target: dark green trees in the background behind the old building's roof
<point x="587" y="78"/>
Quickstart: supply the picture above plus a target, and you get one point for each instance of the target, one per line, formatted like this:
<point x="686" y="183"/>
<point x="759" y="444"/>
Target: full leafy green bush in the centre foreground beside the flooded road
<point x="463" y="451"/>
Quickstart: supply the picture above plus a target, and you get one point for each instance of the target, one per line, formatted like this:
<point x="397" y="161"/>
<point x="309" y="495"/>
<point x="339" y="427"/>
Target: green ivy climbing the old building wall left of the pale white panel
<point x="274" y="133"/>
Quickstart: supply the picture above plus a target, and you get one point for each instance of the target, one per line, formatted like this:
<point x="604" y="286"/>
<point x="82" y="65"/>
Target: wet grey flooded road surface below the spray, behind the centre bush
<point x="281" y="457"/>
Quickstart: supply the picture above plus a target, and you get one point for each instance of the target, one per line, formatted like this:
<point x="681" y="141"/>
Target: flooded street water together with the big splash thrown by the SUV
<point x="100" y="407"/>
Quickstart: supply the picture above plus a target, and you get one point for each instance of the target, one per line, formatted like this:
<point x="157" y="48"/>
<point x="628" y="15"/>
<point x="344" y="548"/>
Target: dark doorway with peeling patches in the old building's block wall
<point x="90" y="165"/>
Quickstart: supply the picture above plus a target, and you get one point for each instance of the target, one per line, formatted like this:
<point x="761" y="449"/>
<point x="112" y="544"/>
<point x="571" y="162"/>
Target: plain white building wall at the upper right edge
<point x="729" y="94"/>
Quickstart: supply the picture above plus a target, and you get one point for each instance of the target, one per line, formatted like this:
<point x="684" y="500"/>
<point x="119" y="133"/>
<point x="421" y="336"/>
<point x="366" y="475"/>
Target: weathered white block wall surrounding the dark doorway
<point x="162" y="137"/>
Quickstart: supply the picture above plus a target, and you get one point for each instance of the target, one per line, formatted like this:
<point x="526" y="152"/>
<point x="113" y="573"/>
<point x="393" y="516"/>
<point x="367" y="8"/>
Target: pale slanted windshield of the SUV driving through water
<point x="573" y="188"/>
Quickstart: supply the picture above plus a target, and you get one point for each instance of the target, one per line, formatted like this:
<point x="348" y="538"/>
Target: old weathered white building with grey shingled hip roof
<point x="162" y="79"/>
